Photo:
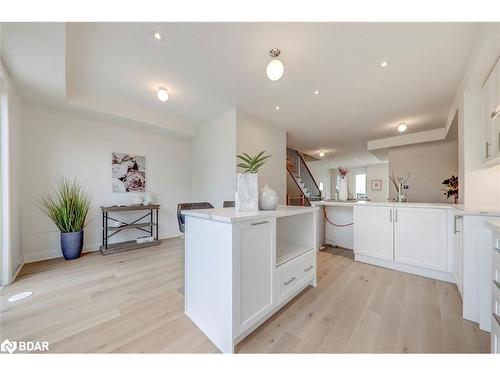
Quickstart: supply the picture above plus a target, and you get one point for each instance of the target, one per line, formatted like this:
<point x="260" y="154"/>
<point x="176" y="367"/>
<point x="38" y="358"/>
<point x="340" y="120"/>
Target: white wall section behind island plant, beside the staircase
<point x="253" y="135"/>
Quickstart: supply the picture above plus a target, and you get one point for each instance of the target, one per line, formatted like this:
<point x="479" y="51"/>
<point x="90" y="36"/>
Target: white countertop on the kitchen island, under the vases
<point x="230" y="215"/>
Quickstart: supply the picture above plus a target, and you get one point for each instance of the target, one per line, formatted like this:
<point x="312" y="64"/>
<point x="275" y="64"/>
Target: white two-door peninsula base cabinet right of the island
<point x="408" y="239"/>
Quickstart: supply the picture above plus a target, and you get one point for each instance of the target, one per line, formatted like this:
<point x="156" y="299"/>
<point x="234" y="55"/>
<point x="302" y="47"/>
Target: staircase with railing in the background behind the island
<point x="298" y="170"/>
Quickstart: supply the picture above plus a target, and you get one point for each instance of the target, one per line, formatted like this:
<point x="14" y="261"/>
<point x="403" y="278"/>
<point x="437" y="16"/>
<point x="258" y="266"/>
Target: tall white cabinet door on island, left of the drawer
<point x="255" y="269"/>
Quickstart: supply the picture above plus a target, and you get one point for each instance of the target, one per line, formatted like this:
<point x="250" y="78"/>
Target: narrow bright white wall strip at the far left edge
<point x="11" y="249"/>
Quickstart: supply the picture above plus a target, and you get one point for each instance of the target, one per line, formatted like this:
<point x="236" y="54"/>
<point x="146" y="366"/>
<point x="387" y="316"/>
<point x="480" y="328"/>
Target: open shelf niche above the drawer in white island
<point x="294" y="237"/>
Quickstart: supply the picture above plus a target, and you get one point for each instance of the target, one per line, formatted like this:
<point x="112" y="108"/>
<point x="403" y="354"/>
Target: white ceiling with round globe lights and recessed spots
<point x="210" y="68"/>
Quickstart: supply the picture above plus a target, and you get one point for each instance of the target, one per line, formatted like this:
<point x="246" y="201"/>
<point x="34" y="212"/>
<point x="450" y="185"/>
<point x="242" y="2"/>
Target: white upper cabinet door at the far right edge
<point x="490" y="143"/>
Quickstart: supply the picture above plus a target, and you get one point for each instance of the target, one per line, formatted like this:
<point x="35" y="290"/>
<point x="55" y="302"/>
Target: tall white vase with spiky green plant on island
<point x="247" y="187"/>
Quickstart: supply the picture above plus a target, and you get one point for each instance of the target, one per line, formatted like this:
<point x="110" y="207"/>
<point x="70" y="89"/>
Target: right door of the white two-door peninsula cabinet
<point x="420" y="237"/>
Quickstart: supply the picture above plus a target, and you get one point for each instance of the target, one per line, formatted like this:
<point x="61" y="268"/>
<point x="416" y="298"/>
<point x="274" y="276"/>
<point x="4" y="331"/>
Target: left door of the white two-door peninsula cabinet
<point x="373" y="234"/>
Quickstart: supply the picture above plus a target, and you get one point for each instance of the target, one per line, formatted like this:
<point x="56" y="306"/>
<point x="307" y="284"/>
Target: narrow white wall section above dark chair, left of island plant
<point x="213" y="168"/>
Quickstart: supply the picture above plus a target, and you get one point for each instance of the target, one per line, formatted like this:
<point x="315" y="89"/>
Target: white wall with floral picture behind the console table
<point x="59" y="142"/>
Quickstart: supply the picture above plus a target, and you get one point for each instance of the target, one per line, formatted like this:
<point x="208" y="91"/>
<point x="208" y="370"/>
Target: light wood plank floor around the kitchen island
<point x="133" y="302"/>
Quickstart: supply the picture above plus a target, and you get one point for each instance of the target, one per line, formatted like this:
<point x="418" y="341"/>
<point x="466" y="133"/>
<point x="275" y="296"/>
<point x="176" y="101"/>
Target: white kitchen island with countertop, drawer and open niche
<point x="241" y="267"/>
